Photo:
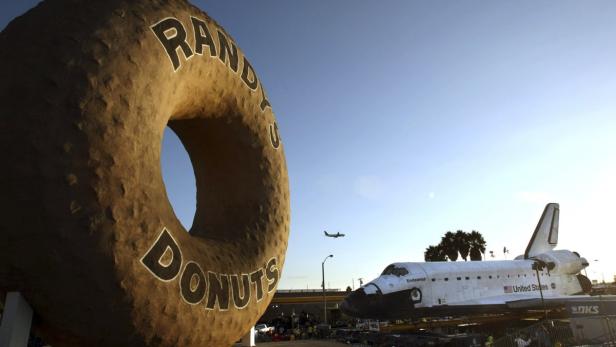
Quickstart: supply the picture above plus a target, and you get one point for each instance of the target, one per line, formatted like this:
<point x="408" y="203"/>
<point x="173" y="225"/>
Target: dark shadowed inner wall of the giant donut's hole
<point x="231" y="174"/>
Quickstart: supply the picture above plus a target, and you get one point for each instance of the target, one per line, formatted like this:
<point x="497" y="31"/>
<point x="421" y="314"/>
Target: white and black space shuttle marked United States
<point x="541" y="278"/>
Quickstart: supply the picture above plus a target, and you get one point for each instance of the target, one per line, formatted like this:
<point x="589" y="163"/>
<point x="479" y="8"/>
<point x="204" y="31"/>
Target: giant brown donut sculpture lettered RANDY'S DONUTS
<point x="88" y="235"/>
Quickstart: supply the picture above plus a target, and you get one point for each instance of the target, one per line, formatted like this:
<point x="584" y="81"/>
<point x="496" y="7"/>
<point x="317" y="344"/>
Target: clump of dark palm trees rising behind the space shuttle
<point x="459" y="243"/>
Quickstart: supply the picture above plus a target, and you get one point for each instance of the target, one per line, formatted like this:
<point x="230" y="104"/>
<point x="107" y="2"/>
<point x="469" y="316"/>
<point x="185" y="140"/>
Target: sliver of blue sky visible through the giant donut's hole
<point x="179" y="178"/>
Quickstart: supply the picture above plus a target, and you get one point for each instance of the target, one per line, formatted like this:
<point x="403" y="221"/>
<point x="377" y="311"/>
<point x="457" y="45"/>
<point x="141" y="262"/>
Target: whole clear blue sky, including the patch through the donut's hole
<point x="404" y="119"/>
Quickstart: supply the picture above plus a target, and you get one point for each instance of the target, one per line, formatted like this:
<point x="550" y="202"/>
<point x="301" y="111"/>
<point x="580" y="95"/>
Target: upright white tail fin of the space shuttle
<point x="545" y="236"/>
